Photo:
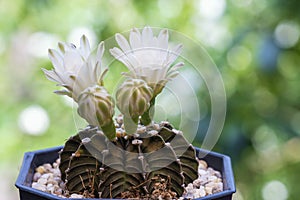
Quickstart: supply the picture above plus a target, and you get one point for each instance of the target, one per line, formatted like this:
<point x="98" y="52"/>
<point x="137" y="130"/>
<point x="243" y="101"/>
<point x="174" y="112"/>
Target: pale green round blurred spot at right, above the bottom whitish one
<point x="264" y="139"/>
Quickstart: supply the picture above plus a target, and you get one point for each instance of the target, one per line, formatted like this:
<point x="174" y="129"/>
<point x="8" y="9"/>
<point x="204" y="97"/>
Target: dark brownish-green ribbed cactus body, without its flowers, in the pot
<point x="133" y="164"/>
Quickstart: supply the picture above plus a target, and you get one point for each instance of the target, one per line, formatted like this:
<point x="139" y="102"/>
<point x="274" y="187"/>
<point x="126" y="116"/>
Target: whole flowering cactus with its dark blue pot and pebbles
<point x="132" y="157"/>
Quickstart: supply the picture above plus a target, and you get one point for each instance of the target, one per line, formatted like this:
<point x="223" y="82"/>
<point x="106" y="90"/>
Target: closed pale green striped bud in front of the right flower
<point x="133" y="97"/>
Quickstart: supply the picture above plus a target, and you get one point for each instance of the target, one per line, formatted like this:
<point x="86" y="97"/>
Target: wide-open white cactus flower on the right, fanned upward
<point x="148" y="57"/>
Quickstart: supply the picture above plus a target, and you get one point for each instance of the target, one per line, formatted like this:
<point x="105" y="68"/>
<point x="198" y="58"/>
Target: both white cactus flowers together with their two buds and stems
<point x="150" y="62"/>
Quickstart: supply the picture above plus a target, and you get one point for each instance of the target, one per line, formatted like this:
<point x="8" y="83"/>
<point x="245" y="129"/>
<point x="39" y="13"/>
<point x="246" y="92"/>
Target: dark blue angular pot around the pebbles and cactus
<point x="33" y="159"/>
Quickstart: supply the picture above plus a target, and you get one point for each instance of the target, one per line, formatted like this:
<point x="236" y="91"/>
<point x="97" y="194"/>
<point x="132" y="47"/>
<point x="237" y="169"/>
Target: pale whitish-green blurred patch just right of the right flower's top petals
<point x="213" y="34"/>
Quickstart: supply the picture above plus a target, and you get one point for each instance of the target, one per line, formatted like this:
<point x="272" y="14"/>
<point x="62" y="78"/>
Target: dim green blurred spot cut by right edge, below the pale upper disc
<point x="288" y="65"/>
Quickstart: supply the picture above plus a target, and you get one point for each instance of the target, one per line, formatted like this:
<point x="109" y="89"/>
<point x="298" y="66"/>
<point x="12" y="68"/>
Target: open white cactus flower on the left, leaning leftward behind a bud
<point x="75" y="68"/>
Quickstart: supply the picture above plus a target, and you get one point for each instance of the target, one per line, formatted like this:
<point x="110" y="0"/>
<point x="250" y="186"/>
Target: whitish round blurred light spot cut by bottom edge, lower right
<point x="275" y="190"/>
